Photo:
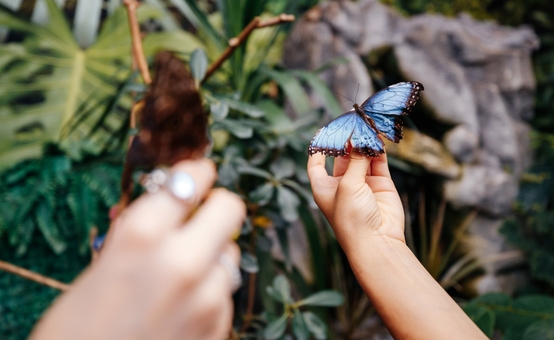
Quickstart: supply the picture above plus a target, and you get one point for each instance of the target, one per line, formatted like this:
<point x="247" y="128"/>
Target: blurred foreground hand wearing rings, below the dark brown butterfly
<point x="159" y="275"/>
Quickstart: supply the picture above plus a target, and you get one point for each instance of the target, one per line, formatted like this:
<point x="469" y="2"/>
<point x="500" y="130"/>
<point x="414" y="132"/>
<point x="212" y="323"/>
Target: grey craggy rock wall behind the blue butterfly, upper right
<point x="478" y="80"/>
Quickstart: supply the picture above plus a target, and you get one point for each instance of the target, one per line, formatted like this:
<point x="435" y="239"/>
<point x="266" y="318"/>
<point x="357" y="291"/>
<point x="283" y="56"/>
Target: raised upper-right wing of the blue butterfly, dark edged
<point x="385" y="107"/>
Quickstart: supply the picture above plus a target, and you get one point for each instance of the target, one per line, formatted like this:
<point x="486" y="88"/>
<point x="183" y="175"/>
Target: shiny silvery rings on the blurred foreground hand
<point x="179" y="183"/>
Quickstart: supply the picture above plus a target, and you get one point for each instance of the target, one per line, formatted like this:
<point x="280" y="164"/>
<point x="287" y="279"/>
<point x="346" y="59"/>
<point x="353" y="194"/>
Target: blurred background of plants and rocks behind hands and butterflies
<point x="475" y="169"/>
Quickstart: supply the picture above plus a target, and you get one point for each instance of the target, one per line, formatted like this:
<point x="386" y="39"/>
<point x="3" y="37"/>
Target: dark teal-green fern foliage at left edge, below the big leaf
<point x="59" y="197"/>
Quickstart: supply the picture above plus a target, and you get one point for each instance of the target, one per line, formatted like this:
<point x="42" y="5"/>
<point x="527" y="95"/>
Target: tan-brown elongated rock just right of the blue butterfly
<point x="426" y="152"/>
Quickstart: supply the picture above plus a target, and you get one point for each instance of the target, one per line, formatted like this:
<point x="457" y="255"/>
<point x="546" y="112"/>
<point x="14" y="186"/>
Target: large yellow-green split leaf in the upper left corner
<point x="53" y="90"/>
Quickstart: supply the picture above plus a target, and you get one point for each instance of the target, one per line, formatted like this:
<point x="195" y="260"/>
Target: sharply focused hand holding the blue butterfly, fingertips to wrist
<point x="359" y="200"/>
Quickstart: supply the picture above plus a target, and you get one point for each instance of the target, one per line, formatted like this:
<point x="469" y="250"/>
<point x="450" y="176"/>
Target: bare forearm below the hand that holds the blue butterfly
<point x="410" y="302"/>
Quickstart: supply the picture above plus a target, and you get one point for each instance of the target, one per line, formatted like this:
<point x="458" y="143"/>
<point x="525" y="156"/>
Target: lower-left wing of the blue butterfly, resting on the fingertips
<point x="332" y="139"/>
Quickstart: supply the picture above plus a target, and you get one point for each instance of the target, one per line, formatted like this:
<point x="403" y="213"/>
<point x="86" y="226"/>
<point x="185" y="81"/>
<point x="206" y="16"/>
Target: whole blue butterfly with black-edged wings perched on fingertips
<point x="360" y="127"/>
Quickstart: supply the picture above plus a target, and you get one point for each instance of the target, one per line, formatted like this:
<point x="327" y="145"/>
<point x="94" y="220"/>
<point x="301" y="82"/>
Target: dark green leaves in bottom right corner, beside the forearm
<point x="528" y="317"/>
